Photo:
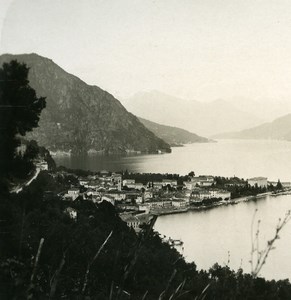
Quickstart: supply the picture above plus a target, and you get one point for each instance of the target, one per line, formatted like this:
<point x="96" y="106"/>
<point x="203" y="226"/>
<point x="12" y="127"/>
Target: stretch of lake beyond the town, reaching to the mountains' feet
<point x="242" y="158"/>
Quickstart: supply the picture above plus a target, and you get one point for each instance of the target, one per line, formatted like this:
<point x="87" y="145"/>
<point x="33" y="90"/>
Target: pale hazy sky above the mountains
<point x="199" y="49"/>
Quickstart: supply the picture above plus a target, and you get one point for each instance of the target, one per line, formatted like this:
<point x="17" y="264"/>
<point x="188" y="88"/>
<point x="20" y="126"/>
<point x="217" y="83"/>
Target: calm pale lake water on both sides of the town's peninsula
<point x="210" y="235"/>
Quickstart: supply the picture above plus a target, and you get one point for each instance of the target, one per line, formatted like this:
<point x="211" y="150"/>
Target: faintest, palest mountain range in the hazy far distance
<point x="204" y="118"/>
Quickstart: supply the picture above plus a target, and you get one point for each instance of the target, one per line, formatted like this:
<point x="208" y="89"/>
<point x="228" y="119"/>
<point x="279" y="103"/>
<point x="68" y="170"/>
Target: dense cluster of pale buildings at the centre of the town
<point x="153" y="197"/>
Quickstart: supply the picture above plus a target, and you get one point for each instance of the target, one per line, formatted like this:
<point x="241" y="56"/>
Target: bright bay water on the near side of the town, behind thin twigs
<point x="224" y="233"/>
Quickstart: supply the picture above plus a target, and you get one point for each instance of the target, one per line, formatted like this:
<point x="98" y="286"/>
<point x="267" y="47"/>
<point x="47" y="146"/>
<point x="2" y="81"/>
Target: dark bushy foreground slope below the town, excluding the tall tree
<point x="128" y="266"/>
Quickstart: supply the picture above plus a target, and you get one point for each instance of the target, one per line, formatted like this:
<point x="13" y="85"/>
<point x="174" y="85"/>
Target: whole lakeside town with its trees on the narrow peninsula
<point x="137" y="197"/>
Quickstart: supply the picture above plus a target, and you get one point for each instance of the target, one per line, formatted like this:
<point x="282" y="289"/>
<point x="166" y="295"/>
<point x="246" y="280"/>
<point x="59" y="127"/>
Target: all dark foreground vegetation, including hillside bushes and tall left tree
<point x="48" y="253"/>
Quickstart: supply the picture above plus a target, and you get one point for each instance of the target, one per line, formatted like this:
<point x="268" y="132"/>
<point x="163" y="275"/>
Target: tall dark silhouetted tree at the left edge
<point x="20" y="109"/>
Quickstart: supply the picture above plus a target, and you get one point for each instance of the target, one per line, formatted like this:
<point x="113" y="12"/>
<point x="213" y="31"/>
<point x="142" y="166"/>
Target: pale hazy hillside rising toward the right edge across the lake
<point x="279" y="129"/>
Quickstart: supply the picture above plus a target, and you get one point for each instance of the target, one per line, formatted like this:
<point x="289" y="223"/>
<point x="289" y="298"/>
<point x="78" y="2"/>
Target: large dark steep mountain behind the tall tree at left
<point x="80" y="117"/>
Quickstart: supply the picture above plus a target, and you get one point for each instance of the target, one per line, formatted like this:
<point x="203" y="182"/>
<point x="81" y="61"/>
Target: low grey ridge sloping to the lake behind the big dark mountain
<point x="173" y="135"/>
